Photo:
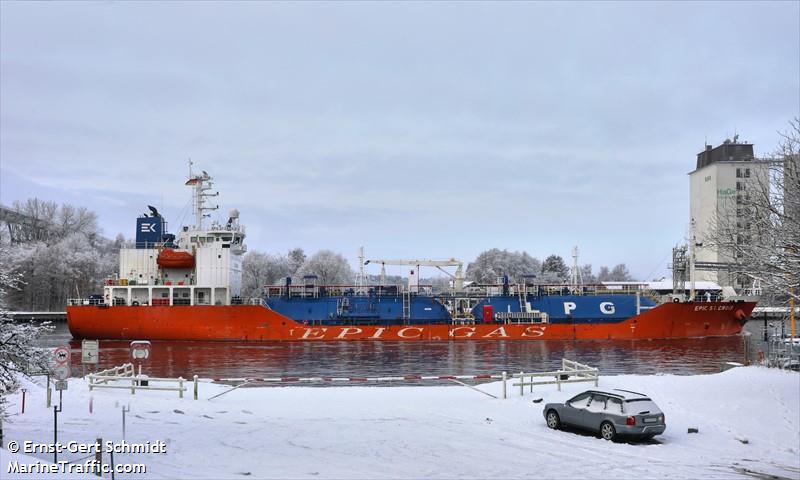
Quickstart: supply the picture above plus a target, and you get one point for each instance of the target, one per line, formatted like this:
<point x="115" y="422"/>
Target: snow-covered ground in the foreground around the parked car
<point x="436" y="431"/>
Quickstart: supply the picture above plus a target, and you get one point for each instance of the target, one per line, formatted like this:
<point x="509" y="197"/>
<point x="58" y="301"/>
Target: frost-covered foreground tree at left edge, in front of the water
<point x="19" y="354"/>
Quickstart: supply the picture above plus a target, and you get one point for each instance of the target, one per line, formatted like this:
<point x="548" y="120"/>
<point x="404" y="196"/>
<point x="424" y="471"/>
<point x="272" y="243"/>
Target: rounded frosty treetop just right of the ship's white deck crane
<point x="492" y="264"/>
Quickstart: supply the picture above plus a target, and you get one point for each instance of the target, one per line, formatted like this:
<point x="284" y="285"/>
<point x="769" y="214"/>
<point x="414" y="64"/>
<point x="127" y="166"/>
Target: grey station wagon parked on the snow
<point x="611" y="413"/>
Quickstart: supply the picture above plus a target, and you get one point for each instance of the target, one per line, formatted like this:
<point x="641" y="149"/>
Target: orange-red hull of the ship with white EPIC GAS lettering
<point x="256" y="323"/>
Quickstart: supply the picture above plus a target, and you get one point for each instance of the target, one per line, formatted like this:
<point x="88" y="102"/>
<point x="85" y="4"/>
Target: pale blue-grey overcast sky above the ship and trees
<point x="419" y="130"/>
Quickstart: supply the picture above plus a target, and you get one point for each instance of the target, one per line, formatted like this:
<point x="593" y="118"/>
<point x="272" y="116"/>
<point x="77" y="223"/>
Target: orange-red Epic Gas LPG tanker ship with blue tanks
<point x="189" y="288"/>
